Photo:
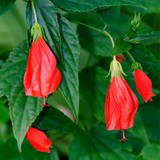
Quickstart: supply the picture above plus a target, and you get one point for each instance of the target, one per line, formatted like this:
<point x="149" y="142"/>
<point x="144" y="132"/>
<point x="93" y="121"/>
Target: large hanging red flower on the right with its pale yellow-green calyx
<point x="121" y="103"/>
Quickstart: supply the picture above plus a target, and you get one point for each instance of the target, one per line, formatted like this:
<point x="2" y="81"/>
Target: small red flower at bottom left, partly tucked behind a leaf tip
<point x="38" y="140"/>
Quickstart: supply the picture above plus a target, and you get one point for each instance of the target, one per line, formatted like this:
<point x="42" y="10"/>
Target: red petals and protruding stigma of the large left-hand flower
<point x="42" y="77"/>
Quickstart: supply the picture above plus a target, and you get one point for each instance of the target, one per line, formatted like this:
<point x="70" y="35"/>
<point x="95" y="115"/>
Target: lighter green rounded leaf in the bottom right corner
<point x="151" y="152"/>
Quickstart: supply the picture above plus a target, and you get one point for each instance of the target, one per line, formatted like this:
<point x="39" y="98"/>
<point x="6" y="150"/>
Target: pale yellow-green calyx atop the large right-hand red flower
<point x="116" y="69"/>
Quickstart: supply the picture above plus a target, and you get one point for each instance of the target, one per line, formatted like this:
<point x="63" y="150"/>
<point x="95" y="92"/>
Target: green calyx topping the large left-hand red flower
<point x="37" y="31"/>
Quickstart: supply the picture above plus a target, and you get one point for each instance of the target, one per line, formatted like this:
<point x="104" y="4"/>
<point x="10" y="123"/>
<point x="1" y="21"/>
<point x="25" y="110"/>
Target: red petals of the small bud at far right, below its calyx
<point x="144" y="85"/>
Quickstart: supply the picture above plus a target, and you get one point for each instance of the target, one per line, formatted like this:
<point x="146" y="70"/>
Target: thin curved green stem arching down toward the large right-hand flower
<point x="101" y="31"/>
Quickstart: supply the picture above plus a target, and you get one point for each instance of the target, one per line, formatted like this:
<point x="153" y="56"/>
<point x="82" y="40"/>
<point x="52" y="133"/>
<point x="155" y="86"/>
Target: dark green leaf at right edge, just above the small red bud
<point x="149" y="63"/>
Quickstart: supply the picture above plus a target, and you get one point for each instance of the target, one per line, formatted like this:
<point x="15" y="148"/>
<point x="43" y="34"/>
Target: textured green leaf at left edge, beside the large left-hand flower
<point x="13" y="69"/>
